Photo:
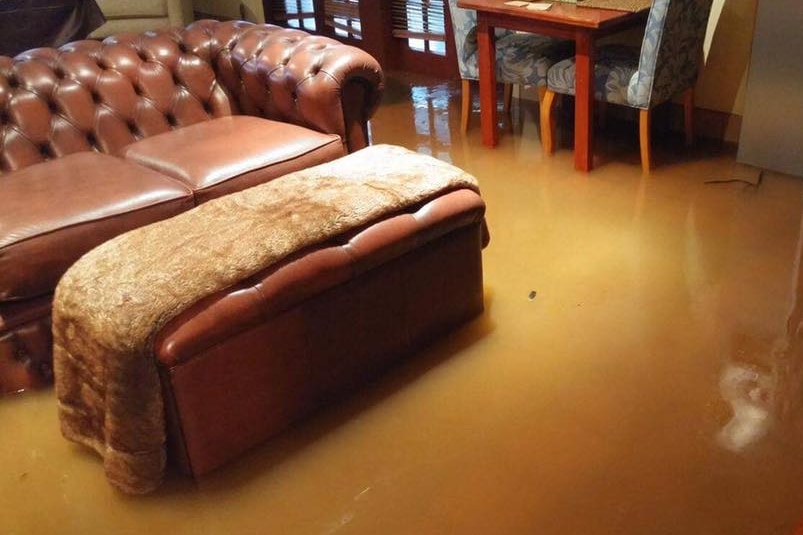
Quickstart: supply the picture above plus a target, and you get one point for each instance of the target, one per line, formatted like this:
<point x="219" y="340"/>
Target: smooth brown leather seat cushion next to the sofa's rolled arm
<point x="233" y="153"/>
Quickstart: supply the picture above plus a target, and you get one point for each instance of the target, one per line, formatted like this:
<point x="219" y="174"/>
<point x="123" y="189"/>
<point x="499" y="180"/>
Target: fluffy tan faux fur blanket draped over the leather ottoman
<point x="110" y="305"/>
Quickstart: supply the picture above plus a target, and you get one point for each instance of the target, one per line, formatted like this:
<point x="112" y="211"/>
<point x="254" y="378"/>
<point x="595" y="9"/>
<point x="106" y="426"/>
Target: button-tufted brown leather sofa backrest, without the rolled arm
<point x="98" y="96"/>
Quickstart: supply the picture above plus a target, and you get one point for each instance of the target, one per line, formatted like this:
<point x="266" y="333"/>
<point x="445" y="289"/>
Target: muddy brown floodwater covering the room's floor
<point x="636" y="371"/>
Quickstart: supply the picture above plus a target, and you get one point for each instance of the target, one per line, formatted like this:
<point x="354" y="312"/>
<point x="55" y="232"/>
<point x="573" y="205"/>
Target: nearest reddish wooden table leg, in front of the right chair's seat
<point x="584" y="102"/>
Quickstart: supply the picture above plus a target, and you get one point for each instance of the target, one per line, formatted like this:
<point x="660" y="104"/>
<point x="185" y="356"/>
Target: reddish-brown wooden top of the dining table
<point x="564" y="13"/>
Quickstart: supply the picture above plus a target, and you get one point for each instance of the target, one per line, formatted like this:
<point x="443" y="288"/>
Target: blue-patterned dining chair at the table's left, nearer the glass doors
<point x="521" y="58"/>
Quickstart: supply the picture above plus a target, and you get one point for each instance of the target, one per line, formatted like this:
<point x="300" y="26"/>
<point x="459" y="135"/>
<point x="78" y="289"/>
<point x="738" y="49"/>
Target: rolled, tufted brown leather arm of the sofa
<point x="292" y="76"/>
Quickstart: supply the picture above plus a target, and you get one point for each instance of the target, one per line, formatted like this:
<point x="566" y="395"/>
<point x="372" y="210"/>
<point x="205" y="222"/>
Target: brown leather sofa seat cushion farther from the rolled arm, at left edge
<point x="52" y="213"/>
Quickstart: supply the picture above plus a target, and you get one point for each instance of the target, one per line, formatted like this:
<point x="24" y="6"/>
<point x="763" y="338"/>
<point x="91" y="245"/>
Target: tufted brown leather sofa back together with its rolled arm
<point x="101" y="96"/>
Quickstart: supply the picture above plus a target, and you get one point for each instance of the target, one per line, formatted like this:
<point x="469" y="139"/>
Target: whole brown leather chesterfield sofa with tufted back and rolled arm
<point x="97" y="138"/>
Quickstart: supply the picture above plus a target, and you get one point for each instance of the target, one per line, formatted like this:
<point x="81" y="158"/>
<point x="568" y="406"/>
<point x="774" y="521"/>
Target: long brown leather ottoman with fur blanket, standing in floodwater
<point x="198" y="337"/>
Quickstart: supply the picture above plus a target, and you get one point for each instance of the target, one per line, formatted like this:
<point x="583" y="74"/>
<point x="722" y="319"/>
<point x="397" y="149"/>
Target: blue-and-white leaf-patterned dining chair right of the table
<point x="667" y="64"/>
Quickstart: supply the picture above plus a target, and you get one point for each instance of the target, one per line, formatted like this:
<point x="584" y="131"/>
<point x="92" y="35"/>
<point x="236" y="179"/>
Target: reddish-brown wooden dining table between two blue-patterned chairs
<point x="584" y="25"/>
